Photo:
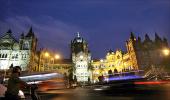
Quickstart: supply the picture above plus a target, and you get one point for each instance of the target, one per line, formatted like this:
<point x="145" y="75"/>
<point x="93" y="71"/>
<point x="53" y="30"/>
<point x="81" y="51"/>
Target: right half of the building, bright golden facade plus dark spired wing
<point x="140" y="55"/>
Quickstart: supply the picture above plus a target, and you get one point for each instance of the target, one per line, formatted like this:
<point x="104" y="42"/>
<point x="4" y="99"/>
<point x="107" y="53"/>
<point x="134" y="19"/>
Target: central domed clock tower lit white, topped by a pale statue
<point x="81" y="58"/>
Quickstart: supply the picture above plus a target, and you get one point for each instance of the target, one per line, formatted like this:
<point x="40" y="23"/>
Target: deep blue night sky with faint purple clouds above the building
<point x="104" y="24"/>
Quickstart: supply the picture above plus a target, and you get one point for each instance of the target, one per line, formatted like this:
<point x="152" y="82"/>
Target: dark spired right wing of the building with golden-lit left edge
<point x="146" y="53"/>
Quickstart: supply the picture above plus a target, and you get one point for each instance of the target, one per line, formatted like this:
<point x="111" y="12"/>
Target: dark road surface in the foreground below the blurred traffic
<point x="86" y="93"/>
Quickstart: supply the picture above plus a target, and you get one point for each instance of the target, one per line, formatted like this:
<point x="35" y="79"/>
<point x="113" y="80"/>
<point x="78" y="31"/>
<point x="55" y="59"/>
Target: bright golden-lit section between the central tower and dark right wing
<point x="116" y="62"/>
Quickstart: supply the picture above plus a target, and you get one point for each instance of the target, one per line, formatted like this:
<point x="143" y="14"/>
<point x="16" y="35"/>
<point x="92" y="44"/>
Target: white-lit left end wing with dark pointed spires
<point x="18" y="53"/>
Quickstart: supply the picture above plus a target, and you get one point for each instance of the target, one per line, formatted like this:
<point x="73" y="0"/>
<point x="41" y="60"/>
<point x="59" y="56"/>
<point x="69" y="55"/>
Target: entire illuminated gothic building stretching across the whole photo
<point x="140" y="55"/>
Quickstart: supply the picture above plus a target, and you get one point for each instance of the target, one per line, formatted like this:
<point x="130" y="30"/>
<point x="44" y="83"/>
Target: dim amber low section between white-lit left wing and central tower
<point x="50" y="63"/>
